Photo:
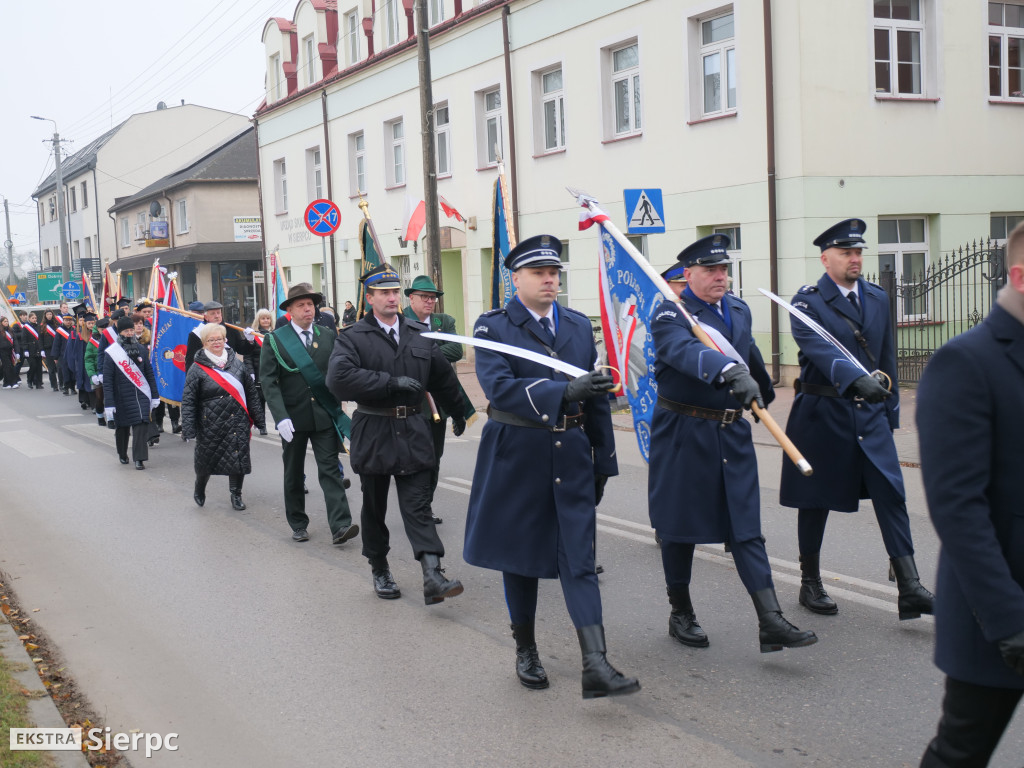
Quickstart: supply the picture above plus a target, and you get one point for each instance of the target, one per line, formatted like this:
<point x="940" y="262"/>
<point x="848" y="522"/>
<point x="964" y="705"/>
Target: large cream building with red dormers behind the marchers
<point x="905" y="113"/>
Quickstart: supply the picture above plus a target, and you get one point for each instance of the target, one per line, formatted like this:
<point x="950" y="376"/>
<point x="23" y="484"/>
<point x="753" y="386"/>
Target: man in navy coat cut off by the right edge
<point x="970" y="396"/>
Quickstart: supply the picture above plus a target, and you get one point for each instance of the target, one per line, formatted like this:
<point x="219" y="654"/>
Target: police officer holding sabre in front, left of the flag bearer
<point x="545" y="456"/>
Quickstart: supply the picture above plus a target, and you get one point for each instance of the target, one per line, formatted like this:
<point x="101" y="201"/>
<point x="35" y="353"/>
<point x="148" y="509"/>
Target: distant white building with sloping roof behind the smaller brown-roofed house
<point x="118" y="164"/>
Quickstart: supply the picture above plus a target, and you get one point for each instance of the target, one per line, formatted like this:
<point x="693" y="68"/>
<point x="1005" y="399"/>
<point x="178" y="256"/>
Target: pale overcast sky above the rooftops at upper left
<point x="92" y="64"/>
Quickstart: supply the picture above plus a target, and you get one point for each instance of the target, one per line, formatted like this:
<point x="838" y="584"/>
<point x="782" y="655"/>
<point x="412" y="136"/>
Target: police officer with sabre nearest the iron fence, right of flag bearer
<point x="843" y="420"/>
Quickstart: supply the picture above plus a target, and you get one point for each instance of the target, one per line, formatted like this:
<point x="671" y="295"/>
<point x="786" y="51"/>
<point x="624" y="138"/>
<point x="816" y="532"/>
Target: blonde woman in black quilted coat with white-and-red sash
<point x="216" y="419"/>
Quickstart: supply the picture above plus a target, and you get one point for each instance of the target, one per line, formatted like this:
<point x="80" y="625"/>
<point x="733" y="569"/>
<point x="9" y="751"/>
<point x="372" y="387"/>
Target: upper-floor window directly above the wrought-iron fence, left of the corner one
<point x="900" y="48"/>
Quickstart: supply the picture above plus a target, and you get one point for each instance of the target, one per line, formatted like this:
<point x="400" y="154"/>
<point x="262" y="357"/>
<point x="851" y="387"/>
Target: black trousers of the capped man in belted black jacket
<point x="414" y="502"/>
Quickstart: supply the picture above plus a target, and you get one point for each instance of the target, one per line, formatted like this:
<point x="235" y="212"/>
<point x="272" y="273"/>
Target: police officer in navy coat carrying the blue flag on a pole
<point x="703" y="483"/>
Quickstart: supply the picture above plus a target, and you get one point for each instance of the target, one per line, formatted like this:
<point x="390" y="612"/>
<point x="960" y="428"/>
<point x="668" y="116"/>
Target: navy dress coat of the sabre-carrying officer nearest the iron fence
<point x="836" y="435"/>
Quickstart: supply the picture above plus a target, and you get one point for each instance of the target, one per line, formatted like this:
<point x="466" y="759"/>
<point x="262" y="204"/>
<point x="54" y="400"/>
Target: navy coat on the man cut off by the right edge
<point x="971" y="425"/>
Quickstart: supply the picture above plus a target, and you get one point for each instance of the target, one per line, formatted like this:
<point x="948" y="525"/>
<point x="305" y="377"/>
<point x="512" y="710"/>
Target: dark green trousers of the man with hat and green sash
<point x="325" y="446"/>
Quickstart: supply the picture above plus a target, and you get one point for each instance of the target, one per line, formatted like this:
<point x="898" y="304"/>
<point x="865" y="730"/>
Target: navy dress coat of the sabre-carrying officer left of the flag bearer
<point x="534" y="487"/>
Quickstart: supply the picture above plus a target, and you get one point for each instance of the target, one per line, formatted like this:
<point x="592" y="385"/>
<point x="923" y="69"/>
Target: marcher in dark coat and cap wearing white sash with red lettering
<point x="130" y="394"/>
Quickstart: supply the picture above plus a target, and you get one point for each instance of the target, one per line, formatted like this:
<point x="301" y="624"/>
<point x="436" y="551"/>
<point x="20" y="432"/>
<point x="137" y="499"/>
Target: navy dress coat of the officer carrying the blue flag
<point x="703" y="479"/>
